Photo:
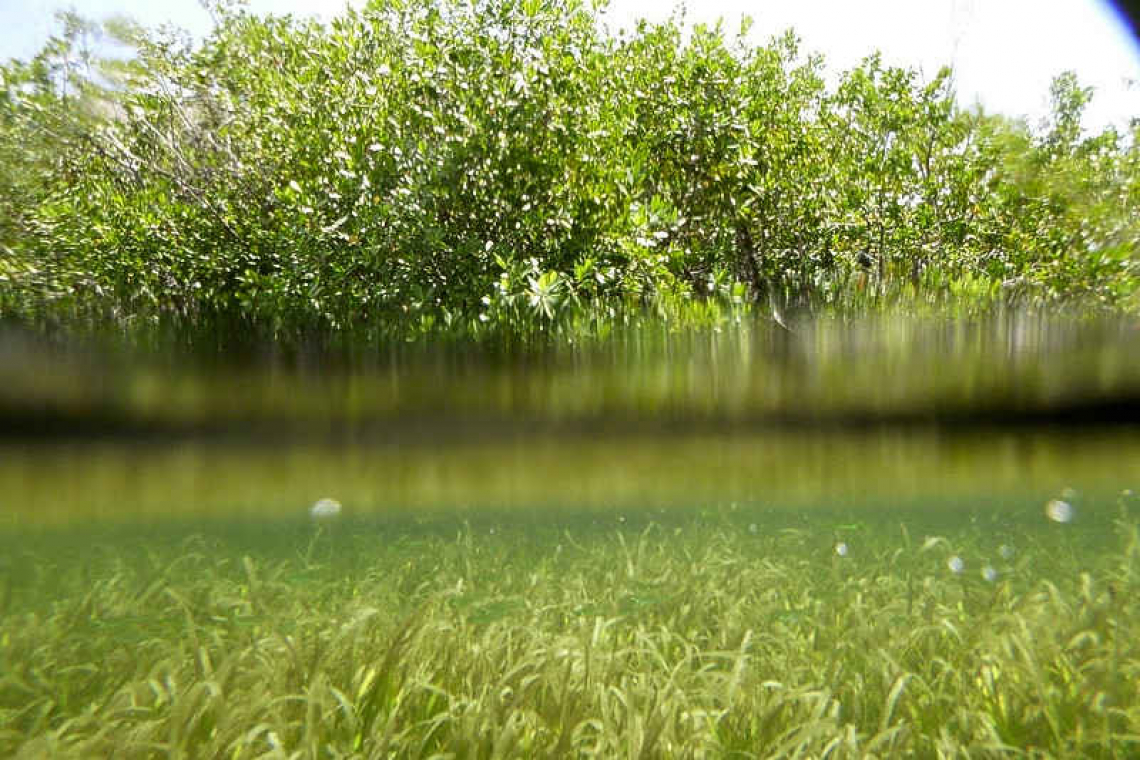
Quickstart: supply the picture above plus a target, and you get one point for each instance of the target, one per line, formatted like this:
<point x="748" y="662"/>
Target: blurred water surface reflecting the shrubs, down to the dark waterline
<point x="1007" y="367"/>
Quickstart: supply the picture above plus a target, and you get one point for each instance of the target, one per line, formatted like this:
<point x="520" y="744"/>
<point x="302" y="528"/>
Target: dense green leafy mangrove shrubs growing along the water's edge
<point x="478" y="167"/>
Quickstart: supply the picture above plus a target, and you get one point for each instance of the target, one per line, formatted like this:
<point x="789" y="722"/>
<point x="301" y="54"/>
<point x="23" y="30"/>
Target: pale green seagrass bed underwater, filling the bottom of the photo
<point x="720" y="633"/>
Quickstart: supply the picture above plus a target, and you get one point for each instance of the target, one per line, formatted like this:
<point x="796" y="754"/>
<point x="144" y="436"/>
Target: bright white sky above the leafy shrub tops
<point x="1005" y="52"/>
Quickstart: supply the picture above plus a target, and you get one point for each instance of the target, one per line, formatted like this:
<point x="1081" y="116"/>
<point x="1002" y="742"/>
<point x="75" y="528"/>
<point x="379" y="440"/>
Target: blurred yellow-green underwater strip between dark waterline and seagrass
<point x="58" y="484"/>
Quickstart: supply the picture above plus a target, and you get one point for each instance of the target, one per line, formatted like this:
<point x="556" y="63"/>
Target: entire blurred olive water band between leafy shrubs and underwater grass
<point x="862" y="415"/>
